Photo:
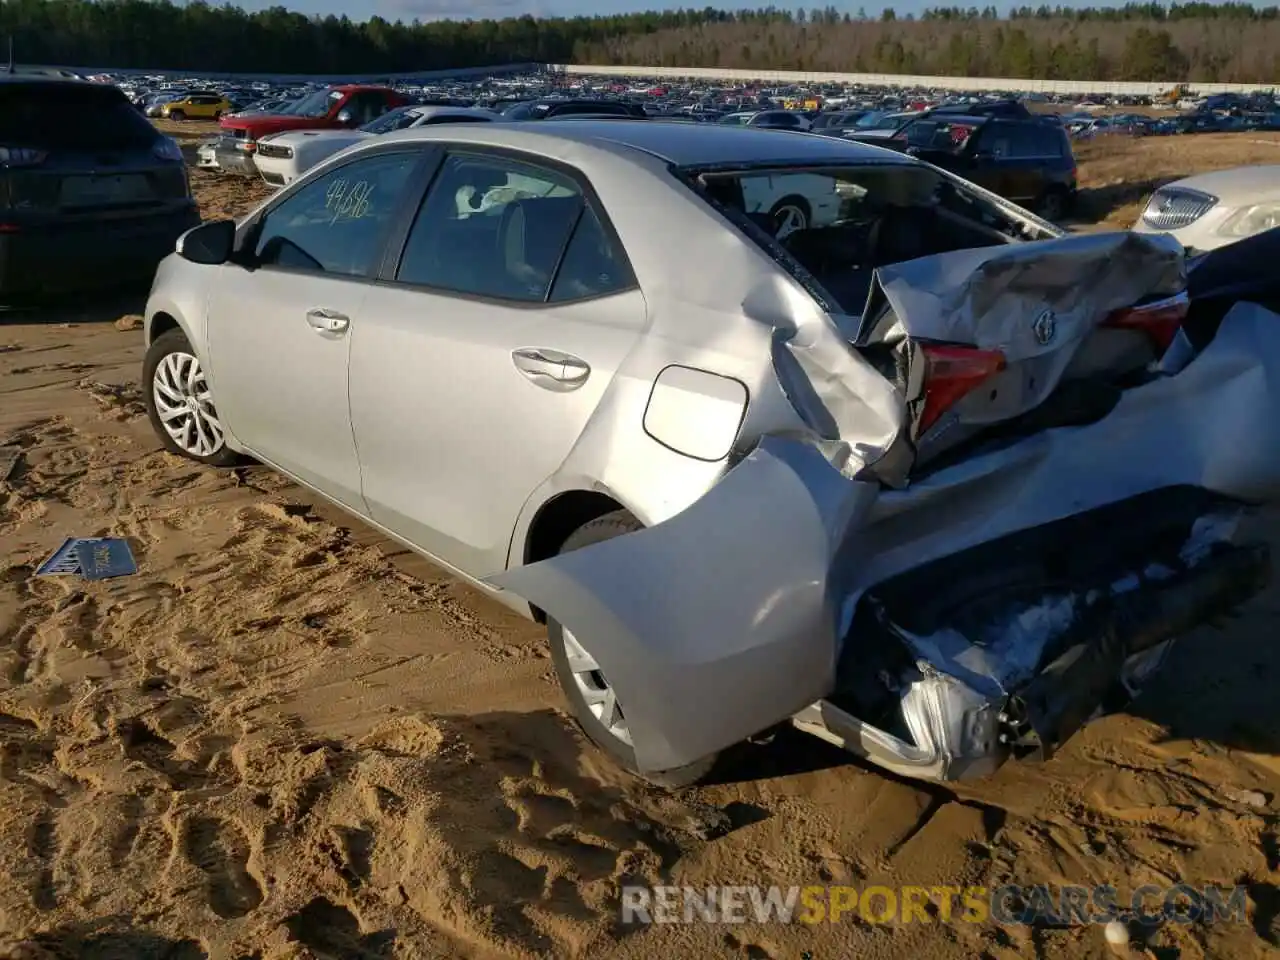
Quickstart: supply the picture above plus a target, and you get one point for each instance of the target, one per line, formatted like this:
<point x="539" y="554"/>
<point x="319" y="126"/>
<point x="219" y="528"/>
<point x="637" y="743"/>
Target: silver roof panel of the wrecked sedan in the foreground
<point x="678" y="144"/>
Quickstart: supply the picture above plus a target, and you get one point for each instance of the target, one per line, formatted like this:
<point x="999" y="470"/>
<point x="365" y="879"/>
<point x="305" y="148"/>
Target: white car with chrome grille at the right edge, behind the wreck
<point x="1214" y="209"/>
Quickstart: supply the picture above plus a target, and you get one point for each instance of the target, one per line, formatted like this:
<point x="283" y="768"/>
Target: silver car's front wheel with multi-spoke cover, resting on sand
<point x="180" y="404"/>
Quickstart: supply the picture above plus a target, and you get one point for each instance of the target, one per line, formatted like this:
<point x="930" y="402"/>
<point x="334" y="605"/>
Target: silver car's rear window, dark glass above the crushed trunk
<point x="840" y="223"/>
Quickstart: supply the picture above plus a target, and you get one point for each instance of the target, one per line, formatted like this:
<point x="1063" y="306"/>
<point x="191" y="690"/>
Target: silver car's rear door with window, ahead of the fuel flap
<point x="484" y="353"/>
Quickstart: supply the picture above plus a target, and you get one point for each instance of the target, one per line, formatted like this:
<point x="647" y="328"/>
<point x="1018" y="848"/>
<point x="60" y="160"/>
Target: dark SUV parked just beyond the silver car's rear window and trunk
<point x="1026" y="161"/>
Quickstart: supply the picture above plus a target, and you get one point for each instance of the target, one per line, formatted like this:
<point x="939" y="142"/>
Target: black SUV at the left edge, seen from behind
<point x="92" y="195"/>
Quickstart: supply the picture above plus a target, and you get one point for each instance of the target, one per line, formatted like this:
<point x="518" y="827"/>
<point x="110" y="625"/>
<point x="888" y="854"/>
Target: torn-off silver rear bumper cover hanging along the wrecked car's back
<point x="726" y="619"/>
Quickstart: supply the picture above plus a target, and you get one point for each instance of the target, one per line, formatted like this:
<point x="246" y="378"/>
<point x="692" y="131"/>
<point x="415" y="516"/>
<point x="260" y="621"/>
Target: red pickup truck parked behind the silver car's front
<point x="350" y="106"/>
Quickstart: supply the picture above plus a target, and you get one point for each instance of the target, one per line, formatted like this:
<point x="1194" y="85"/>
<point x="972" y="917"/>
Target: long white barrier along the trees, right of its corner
<point x="892" y="80"/>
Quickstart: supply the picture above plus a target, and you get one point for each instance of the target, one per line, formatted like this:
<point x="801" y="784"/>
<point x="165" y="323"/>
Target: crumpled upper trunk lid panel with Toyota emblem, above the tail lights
<point x="991" y="296"/>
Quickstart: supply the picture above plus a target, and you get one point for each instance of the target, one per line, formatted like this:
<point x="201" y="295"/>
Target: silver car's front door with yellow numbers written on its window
<point x="282" y="319"/>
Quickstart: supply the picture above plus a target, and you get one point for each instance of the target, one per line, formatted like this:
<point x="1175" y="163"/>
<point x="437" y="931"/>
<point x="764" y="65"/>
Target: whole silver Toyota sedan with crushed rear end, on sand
<point x="920" y="476"/>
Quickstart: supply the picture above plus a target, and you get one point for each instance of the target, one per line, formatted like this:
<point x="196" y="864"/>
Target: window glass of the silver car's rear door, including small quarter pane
<point x="493" y="227"/>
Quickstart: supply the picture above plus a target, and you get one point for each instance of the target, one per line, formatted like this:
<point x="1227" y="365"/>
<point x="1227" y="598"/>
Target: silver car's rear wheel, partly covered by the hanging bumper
<point x="593" y="701"/>
